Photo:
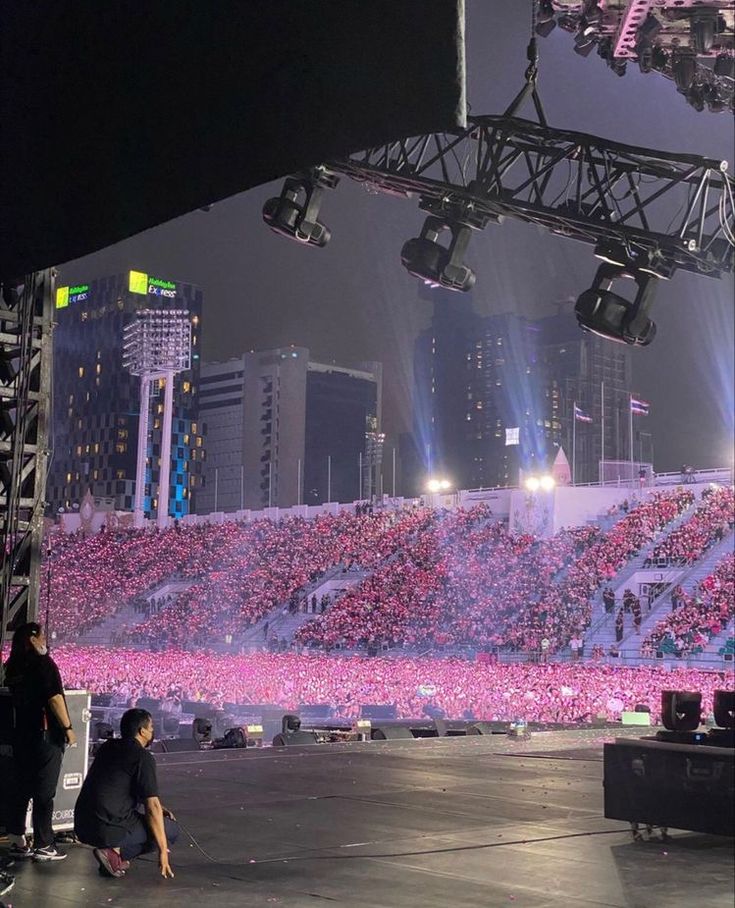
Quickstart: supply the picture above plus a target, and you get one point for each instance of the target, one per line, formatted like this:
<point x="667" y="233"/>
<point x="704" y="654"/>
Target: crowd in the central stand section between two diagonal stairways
<point x="465" y="582"/>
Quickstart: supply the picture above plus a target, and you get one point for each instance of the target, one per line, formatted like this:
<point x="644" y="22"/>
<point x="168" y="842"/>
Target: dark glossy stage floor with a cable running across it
<point x="481" y="821"/>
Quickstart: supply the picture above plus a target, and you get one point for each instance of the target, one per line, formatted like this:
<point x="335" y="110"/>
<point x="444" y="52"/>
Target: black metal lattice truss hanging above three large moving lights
<point x="660" y="211"/>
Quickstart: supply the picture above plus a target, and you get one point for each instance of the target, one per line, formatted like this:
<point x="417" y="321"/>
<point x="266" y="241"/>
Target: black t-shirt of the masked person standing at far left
<point x="31" y="688"/>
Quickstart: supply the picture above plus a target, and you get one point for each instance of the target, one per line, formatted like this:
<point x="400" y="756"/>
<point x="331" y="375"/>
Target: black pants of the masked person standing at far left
<point x="37" y="766"/>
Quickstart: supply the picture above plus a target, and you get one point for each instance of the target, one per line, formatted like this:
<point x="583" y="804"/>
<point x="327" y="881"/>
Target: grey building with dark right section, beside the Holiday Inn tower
<point x="284" y="430"/>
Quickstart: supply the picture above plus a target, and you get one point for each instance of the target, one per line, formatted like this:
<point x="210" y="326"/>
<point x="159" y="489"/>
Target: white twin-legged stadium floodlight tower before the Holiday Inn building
<point x="156" y="345"/>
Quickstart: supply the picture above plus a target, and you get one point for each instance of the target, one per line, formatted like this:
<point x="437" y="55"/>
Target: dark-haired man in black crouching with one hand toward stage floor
<point x="118" y="811"/>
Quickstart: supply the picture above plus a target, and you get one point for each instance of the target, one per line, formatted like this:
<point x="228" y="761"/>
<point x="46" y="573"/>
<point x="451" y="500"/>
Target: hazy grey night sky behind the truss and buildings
<point x="353" y="300"/>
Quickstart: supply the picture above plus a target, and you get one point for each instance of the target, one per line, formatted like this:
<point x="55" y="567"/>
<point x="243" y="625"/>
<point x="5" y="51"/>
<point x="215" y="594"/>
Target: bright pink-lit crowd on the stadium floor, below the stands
<point x="556" y="692"/>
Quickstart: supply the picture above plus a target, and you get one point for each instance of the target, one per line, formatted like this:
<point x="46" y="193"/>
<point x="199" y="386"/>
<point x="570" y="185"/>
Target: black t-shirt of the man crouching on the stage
<point x="121" y="777"/>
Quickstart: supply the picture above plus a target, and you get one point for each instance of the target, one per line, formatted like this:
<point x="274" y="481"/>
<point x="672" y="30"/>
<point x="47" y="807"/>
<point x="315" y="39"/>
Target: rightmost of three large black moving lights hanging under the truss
<point x="608" y="315"/>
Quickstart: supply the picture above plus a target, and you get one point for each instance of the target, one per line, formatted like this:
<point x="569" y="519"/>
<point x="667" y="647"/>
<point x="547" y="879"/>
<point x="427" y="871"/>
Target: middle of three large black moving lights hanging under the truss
<point x="441" y="266"/>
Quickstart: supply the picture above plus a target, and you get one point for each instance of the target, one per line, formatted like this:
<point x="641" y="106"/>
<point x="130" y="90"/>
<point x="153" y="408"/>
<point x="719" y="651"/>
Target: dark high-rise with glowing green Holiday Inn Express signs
<point x="96" y="402"/>
